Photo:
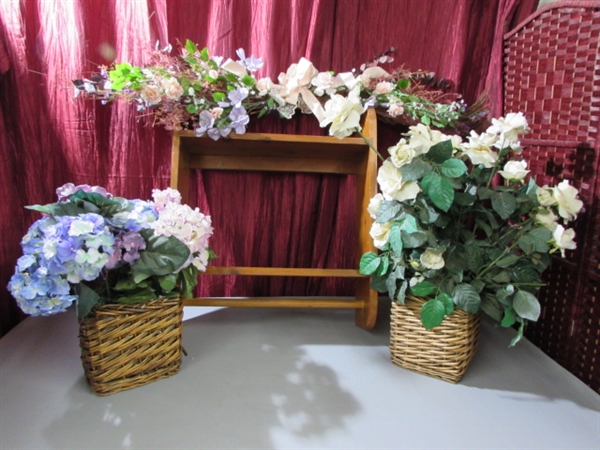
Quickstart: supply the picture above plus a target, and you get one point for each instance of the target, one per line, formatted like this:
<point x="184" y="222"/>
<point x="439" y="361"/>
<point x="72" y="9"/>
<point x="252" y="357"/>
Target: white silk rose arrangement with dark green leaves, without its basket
<point x="449" y="229"/>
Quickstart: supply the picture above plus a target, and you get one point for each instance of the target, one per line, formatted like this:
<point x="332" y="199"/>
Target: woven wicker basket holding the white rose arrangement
<point x="444" y="352"/>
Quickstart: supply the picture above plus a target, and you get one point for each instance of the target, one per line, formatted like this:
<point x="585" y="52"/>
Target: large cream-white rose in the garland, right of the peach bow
<point x="343" y="113"/>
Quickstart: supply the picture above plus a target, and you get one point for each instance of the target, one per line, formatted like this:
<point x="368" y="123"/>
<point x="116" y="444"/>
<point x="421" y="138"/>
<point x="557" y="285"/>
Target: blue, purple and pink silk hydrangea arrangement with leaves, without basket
<point x="92" y="248"/>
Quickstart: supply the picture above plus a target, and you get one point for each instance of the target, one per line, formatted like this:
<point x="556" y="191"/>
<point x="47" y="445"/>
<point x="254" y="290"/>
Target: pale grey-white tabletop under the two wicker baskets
<point x="283" y="379"/>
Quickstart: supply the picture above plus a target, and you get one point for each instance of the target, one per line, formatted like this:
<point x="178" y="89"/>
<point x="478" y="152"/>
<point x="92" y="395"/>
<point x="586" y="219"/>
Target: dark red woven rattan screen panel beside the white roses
<point x="552" y="75"/>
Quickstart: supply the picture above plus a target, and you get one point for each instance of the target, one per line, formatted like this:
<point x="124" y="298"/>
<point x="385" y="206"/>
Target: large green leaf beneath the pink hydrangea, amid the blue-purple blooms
<point x="163" y="255"/>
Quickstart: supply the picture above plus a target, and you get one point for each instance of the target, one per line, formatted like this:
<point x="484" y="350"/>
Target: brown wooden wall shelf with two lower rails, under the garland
<point x="290" y="153"/>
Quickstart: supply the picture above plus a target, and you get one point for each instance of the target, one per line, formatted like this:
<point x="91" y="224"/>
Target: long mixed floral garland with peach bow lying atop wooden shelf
<point x="216" y="96"/>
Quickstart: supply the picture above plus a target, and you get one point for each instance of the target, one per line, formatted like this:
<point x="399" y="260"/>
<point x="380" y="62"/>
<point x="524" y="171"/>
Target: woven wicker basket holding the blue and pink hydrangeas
<point x="126" y="346"/>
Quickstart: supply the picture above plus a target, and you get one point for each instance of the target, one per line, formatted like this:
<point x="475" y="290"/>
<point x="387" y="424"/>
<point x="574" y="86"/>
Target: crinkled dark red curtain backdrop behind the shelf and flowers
<point x="47" y="138"/>
